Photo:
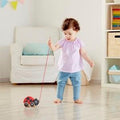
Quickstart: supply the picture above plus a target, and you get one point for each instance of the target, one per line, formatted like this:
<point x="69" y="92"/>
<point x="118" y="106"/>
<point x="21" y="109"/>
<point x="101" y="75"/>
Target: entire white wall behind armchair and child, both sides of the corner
<point x="52" y="12"/>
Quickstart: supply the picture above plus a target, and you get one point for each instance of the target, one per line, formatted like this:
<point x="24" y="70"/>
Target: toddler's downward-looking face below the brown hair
<point x="70" y="34"/>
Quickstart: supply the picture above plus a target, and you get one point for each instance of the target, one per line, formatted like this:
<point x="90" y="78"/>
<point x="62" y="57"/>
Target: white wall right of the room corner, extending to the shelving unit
<point x="88" y="13"/>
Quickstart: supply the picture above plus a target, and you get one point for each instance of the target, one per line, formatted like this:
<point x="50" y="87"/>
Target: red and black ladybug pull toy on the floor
<point x="30" y="101"/>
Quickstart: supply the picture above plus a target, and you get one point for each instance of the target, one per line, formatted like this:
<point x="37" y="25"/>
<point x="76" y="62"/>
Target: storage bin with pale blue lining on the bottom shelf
<point x="114" y="76"/>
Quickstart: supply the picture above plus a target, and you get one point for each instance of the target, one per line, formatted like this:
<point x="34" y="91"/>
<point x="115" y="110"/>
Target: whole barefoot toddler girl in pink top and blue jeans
<point x="70" y="62"/>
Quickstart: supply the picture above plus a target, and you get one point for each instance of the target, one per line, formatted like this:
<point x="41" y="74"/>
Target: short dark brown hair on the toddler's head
<point x="70" y="23"/>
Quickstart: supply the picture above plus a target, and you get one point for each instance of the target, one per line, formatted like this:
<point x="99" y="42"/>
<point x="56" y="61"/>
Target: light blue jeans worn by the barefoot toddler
<point x="76" y="82"/>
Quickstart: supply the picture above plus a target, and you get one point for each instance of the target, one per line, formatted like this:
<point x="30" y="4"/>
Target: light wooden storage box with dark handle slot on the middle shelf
<point x="113" y="44"/>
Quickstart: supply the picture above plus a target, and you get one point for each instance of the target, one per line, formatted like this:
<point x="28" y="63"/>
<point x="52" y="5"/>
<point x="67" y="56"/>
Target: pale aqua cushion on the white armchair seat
<point x="36" y="49"/>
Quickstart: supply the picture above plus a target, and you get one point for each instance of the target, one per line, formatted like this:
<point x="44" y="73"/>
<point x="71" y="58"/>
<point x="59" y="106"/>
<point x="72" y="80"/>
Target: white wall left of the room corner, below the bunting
<point x="9" y="18"/>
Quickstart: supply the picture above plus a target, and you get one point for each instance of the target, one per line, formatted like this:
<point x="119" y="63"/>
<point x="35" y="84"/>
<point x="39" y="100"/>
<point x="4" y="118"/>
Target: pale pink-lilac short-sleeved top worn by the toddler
<point x="70" y="59"/>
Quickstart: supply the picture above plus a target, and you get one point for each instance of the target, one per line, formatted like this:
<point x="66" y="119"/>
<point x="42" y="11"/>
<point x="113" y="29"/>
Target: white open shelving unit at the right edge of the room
<point x="107" y="27"/>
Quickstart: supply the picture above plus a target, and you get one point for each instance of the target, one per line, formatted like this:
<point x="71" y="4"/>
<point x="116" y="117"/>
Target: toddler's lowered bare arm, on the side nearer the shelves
<point x="83" y="53"/>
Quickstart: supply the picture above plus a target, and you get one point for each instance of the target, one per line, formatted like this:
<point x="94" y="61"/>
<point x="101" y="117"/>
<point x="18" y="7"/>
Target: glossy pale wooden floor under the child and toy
<point x="99" y="103"/>
